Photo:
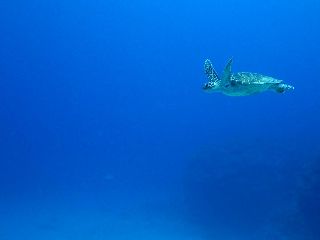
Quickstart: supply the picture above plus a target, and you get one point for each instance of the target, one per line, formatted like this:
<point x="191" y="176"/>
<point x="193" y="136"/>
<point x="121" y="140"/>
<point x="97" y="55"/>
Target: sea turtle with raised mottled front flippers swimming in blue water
<point x="241" y="83"/>
